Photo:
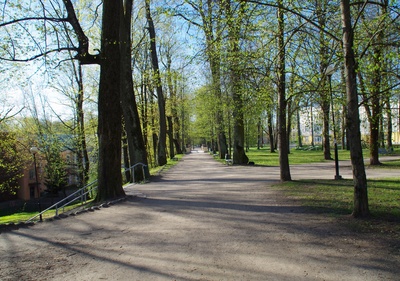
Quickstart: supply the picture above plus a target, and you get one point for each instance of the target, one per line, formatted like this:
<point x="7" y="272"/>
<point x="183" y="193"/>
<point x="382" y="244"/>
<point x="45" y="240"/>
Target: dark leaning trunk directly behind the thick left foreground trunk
<point x="137" y="148"/>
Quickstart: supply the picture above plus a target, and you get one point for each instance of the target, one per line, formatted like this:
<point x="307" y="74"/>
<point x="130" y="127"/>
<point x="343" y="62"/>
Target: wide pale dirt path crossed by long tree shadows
<point x="200" y="221"/>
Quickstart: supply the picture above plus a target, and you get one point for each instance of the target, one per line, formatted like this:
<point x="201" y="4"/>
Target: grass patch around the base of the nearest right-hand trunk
<point x="335" y="198"/>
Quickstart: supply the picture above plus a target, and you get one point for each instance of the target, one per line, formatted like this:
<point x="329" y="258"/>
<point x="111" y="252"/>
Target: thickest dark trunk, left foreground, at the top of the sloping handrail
<point x="109" y="109"/>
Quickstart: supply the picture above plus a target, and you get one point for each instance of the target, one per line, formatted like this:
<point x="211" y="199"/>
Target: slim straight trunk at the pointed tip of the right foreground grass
<point x="282" y="131"/>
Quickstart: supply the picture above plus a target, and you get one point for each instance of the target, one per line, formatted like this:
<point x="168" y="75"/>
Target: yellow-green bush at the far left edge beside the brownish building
<point x="11" y="163"/>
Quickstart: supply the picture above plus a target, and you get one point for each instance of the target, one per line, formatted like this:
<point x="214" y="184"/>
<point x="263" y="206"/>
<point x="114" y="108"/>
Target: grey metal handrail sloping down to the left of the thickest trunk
<point x="80" y="194"/>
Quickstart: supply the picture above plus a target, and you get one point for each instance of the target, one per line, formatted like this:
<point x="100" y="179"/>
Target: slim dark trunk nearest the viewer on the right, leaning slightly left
<point x="360" y="208"/>
